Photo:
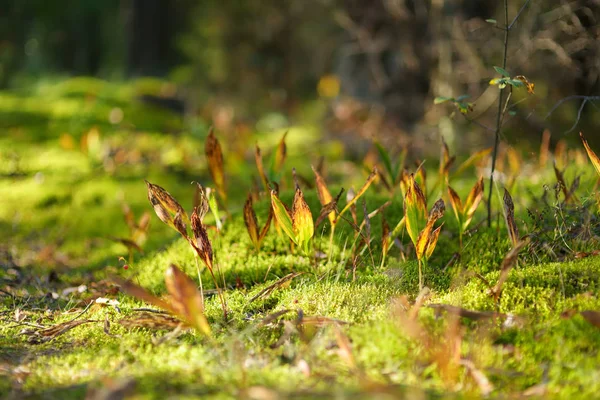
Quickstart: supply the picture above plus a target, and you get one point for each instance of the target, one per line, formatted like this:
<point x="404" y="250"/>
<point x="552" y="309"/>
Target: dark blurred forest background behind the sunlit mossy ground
<point x="354" y="69"/>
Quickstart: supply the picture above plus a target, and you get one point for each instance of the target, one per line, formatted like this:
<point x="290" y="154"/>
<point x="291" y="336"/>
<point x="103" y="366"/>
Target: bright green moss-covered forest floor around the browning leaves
<point x="72" y="153"/>
